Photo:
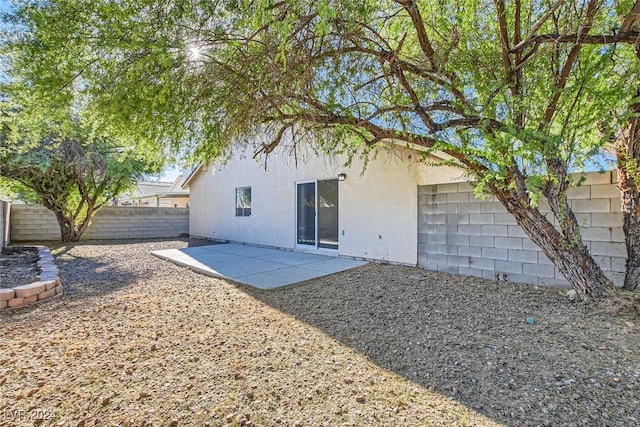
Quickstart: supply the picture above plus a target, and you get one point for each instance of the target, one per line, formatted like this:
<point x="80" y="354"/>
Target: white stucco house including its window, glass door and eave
<point x="319" y="205"/>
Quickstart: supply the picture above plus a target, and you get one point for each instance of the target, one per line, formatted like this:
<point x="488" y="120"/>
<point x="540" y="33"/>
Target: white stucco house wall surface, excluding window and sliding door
<point x="377" y="207"/>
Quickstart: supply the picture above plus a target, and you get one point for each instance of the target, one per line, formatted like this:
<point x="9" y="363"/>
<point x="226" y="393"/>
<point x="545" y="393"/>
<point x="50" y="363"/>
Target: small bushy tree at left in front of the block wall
<point x="70" y="176"/>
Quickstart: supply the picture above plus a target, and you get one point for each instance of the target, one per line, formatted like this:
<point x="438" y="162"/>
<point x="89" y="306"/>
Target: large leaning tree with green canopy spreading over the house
<point x="472" y="79"/>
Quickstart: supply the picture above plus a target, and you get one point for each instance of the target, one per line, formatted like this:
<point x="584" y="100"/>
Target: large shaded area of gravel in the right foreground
<point x="472" y="340"/>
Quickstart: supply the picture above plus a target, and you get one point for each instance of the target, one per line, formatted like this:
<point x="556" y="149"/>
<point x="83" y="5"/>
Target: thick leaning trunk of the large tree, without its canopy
<point x="569" y="254"/>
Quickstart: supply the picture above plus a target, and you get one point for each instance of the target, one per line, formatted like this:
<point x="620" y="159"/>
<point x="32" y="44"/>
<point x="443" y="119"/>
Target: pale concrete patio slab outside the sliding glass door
<point x="263" y="268"/>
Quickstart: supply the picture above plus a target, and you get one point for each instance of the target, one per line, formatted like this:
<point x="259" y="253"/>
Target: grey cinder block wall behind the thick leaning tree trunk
<point x="462" y="234"/>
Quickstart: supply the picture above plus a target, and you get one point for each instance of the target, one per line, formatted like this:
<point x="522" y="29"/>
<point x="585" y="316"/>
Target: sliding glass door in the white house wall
<point x="317" y="214"/>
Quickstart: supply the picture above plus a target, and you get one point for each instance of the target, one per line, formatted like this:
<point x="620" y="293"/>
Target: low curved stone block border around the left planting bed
<point x="47" y="285"/>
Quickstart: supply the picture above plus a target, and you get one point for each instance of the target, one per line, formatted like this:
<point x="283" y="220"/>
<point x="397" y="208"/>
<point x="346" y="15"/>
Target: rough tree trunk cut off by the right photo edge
<point x="627" y="148"/>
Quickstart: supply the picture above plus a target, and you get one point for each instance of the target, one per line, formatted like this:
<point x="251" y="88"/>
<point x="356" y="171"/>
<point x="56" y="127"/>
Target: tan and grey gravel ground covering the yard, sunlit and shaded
<point x="139" y="341"/>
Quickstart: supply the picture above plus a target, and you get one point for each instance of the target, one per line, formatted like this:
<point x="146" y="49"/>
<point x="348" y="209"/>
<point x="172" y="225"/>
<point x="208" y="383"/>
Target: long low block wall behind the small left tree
<point x="35" y="222"/>
